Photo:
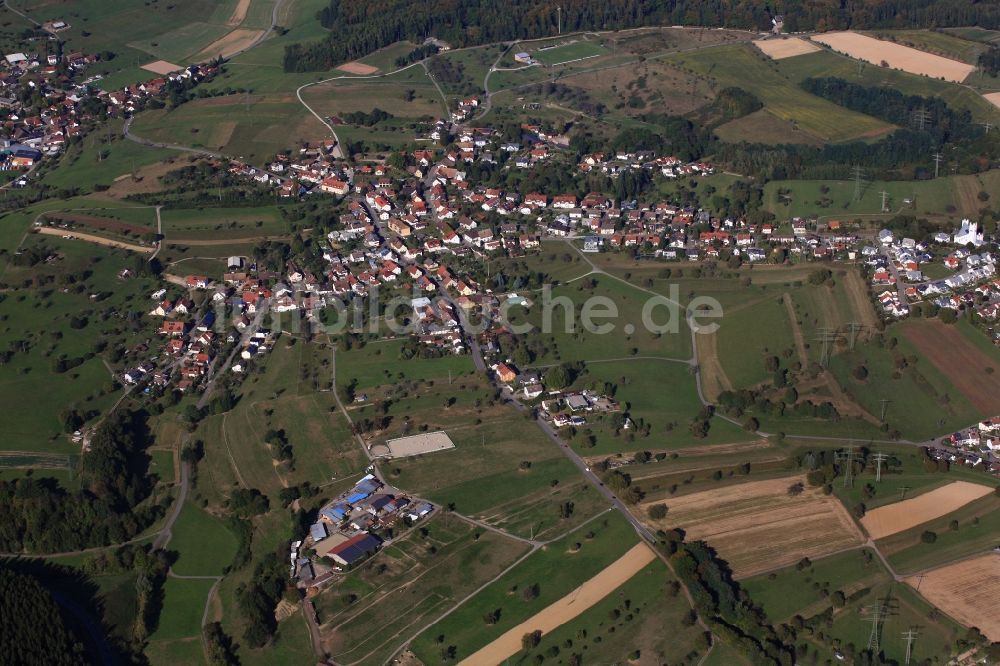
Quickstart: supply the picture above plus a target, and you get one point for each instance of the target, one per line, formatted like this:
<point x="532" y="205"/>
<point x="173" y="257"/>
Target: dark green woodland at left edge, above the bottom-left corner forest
<point x="39" y="515"/>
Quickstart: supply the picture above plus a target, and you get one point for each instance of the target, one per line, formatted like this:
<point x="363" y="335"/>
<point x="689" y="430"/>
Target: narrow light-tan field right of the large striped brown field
<point x="901" y="516"/>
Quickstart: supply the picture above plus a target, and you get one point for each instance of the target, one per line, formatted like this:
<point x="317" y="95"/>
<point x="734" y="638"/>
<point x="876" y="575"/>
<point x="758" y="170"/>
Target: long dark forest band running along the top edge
<point x="358" y="28"/>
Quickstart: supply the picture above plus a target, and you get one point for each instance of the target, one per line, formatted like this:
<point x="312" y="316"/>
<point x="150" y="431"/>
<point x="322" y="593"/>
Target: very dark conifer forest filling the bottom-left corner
<point x="34" y="631"/>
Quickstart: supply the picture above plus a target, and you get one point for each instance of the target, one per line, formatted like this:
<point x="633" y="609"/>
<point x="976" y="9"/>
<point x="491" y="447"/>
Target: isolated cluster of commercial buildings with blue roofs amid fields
<point x="351" y="528"/>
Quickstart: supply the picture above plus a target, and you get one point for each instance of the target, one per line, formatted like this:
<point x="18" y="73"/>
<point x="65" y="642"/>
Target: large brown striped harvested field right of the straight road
<point x="758" y="526"/>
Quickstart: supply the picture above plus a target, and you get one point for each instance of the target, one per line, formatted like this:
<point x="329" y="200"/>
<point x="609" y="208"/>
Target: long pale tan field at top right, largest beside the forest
<point x="896" y="56"/>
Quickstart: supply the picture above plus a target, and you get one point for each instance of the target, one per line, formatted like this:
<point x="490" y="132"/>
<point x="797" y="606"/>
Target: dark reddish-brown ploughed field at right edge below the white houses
<point x="959" y="360"/>
